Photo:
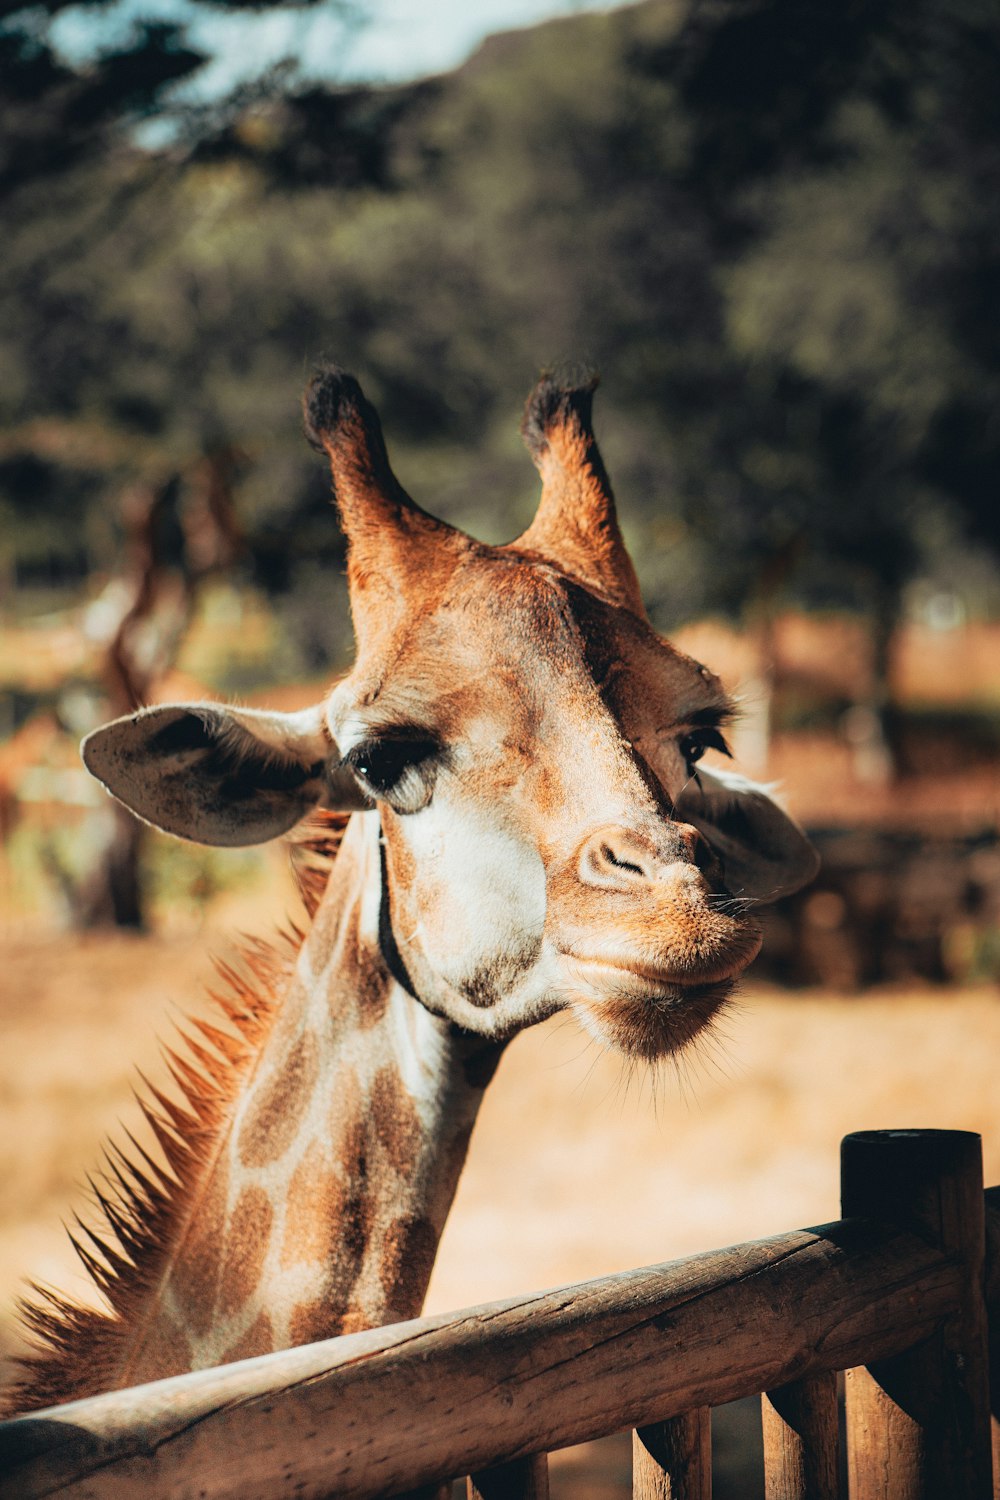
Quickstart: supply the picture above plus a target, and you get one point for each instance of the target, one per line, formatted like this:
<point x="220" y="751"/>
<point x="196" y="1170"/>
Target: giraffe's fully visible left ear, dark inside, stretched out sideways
<point x="221" y="776"/>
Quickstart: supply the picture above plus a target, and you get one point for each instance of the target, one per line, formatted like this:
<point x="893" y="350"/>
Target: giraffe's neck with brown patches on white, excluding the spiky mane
<point x="328" y="1193"/>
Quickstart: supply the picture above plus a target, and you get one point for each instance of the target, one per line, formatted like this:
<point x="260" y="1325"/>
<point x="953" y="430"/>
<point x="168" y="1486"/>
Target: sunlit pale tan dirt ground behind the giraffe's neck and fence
<point x="576" y="1168"/>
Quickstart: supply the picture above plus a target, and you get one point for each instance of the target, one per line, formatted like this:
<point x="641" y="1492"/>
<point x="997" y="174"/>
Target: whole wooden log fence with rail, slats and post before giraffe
<point x="893" y="1295"/>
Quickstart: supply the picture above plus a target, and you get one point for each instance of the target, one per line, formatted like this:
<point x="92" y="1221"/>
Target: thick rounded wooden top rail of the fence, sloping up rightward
<point x="382" y="1412"/>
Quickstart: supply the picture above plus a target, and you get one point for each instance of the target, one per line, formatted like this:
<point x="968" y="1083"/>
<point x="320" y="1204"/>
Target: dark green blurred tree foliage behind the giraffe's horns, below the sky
<point x="768" y="223"/>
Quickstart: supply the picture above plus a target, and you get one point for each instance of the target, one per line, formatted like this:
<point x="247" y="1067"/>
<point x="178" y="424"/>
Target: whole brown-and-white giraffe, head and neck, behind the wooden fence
<point x="510" y="776"/>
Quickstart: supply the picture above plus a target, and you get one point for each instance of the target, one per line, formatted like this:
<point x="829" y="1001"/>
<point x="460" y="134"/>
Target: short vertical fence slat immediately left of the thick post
<point x="801" y="1439"/>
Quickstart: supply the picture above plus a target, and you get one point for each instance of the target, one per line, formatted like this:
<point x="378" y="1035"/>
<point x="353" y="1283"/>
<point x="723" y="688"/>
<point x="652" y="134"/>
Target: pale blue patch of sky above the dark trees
<point x="395" y="40"/>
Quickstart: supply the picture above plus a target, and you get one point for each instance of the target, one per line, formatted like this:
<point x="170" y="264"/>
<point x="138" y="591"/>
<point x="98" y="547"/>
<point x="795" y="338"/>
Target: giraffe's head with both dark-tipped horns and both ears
<point x="528" y="745"/>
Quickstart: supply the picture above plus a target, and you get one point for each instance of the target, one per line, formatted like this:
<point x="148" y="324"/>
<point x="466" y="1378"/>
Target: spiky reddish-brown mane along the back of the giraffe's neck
<point x="142" y="1205"/>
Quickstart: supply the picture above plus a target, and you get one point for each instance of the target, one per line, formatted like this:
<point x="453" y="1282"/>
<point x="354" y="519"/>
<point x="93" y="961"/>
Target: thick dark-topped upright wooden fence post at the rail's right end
<point x="918" y="1424"/>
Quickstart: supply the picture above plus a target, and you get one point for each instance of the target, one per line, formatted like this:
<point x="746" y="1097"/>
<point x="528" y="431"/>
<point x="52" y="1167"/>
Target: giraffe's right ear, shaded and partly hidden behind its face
<point x="764" y="853"/>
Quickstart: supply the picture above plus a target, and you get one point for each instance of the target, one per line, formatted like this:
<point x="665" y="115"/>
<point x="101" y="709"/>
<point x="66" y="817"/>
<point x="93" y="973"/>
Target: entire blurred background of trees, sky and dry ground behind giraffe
<point x="774" y="227"/>
